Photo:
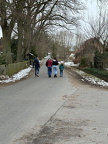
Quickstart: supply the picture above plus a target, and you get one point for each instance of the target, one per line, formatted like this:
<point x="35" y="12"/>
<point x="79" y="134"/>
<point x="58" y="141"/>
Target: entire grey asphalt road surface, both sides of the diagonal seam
<point x="62" y="110"/>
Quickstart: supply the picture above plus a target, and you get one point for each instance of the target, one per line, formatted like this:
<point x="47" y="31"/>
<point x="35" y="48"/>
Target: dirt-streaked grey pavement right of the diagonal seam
<point x="82" y="119"/>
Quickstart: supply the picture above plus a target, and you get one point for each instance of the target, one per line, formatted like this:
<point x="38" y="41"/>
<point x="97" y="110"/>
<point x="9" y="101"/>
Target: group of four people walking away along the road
<point x="52" y="65"/>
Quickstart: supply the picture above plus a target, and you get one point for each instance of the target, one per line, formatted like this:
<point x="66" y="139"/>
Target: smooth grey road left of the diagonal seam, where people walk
<point x="27" y="105"/>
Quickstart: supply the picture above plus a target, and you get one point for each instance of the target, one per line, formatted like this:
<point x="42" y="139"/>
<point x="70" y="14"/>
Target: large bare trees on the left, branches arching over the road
<point x="28" y="19"/>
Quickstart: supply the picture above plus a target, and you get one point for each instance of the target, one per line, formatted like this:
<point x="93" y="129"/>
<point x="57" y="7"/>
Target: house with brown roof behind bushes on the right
<point x="88" y="49"/>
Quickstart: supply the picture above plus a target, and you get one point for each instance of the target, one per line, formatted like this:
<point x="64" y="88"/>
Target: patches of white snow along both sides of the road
<point x="23" y="73"/>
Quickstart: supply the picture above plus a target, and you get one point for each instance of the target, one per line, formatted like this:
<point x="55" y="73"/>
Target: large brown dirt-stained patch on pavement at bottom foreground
<point x="58" y="130"/>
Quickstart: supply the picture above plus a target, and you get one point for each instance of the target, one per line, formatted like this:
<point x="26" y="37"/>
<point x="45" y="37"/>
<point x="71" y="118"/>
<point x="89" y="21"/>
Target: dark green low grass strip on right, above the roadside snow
<point x="102" y="74"/>
